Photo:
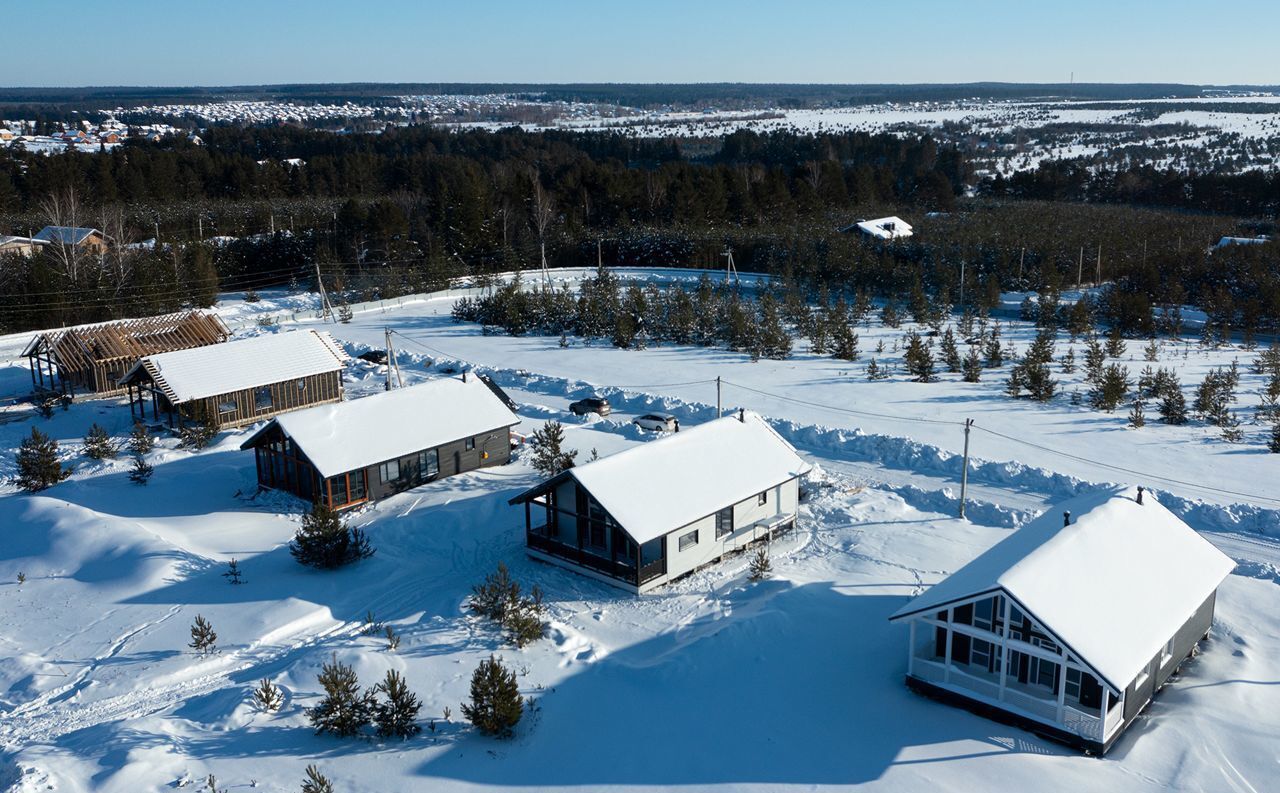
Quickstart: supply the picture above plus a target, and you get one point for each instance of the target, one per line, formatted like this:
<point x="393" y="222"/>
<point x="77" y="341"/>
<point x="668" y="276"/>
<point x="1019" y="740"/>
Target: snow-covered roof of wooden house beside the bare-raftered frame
<point x="221" y="369"/>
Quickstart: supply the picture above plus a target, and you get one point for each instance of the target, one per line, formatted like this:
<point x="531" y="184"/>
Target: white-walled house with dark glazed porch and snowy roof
<point x="660" y="511"/>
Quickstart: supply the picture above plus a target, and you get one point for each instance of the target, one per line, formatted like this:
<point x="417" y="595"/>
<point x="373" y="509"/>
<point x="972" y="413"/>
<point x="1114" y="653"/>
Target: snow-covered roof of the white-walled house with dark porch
<point x="670" y="483"/>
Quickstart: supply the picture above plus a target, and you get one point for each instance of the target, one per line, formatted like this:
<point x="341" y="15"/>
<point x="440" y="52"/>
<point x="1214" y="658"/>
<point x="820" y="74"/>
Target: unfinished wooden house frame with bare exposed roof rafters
<point x="93" y="359"/>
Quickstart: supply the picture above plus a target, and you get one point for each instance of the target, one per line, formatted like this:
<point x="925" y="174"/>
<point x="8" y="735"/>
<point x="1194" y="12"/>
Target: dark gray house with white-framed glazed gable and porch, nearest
<point x="1069" y="626"/>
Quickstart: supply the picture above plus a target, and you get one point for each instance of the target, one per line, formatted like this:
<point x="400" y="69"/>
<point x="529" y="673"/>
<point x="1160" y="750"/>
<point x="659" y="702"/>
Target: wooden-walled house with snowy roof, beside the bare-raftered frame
<point x="239" y="383"/>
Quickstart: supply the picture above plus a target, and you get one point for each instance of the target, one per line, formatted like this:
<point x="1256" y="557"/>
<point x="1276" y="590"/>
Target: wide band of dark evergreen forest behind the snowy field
<point x="403" y="212"/>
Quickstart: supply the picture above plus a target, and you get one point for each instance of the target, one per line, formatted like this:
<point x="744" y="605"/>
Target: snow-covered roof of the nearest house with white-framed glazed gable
<point x="1114" y="586"/>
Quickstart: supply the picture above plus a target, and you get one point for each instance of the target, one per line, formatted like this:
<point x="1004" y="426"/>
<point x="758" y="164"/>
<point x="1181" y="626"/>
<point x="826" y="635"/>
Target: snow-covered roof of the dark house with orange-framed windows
<point x="350" y="436"/>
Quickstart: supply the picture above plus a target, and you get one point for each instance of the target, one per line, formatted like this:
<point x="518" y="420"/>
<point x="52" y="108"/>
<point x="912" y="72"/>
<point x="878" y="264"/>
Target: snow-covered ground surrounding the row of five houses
<point x="714" y="682"/>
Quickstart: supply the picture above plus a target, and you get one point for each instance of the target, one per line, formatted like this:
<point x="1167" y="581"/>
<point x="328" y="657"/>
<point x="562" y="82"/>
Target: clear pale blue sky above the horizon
<point x="149" y="43"/>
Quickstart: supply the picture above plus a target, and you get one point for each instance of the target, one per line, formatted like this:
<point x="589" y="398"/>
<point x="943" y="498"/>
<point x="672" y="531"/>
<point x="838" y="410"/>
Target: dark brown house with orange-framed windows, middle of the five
<point x="371" y="448"/>
